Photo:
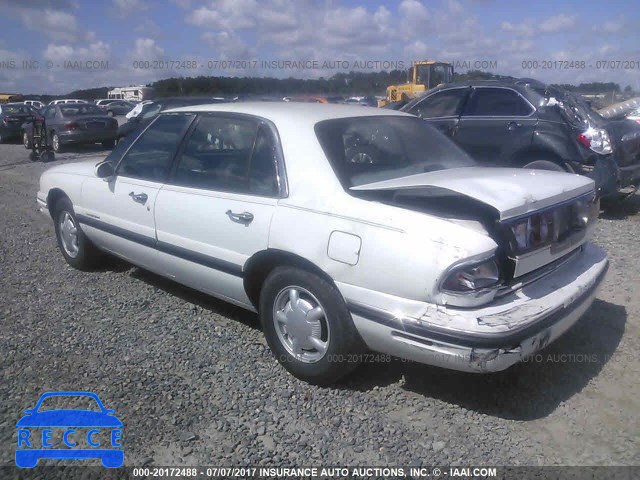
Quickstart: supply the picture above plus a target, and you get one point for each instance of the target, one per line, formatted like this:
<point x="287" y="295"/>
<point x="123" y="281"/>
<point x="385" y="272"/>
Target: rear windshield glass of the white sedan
<point x="363" y="150"/>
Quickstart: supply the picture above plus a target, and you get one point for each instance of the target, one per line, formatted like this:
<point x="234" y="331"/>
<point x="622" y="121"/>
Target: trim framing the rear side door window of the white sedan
<point x="281" y="178"/>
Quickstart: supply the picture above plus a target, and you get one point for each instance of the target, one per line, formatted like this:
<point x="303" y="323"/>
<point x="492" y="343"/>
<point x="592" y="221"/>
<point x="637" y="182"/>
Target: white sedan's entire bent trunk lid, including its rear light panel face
<point x="535" y="217"/>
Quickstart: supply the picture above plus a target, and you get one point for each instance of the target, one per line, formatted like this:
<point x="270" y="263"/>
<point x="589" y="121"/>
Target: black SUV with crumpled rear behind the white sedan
<point x="525" y="123"/>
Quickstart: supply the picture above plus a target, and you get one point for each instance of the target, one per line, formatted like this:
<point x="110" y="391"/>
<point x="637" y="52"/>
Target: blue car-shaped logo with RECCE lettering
<point x="80" y="434"/>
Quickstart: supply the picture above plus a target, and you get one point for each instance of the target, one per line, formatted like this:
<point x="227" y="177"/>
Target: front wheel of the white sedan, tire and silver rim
<point x="76" y="248"/>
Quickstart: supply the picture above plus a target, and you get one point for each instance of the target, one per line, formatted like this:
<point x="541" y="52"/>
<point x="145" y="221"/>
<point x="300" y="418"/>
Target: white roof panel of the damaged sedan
<point x="287" y="111"/>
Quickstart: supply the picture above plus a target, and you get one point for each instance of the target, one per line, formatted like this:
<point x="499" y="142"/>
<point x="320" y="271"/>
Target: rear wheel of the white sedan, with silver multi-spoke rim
<point x="308" y="326"/>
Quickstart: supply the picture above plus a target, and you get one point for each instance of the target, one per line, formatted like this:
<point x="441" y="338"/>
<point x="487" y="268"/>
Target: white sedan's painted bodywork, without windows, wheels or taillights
<point x="386" y="261"/>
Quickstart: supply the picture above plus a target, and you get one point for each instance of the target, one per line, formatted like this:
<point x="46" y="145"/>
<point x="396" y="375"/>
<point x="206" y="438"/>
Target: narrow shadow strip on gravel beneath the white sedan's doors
<point x="198" y="299"/>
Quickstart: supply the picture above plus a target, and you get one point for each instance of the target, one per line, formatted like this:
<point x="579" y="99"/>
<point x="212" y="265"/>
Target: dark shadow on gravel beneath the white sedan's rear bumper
<point x="527" y="391"/>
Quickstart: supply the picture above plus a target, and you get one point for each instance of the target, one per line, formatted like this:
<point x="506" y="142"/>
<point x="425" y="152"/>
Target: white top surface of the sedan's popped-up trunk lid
<point x="511" y="191"/>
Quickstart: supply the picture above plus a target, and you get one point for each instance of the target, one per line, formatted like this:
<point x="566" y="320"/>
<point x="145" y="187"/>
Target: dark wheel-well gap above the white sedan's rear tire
<point x="261" y="264"/>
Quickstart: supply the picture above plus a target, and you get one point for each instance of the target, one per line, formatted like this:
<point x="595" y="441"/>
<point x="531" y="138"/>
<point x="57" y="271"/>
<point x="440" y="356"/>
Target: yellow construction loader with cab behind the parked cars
<point x="422" y="76"/>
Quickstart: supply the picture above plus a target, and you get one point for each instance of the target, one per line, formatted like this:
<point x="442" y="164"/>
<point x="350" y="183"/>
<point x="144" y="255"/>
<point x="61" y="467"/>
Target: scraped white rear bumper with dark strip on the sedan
<point x="486" y="339"/>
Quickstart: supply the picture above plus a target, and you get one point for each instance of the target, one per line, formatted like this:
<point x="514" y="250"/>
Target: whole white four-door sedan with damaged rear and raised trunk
<point x="346" y="230"/>
